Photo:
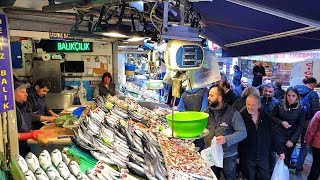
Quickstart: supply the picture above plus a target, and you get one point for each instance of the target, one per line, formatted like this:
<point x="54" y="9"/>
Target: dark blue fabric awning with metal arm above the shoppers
<point x="251" y="27"/>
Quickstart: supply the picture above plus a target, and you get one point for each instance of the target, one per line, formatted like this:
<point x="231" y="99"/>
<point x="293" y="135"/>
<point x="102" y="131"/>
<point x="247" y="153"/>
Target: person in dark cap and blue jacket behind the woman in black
<point x="307" y="91"/>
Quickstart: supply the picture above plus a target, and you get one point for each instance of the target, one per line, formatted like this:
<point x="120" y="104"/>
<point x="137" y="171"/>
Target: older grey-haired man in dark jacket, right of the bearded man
<point x="255" y="148"/>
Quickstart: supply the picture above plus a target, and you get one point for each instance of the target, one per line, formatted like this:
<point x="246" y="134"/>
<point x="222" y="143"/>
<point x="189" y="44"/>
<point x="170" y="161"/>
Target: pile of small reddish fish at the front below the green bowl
<point x="183" y="163"/>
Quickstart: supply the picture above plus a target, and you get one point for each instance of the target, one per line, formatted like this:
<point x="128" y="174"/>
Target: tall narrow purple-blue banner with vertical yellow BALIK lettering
<point x="6" y="95"/>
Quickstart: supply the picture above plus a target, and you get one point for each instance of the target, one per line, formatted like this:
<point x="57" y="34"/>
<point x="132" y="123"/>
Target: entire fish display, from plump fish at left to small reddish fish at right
<point x="117" y="140"/>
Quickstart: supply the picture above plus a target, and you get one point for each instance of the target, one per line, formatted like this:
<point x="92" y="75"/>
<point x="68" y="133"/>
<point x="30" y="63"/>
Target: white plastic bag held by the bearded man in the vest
<point x="213" y="155"/>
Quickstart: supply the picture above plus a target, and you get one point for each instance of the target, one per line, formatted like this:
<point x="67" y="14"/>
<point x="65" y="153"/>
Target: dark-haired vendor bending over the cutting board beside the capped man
<point x="36" y="104"/>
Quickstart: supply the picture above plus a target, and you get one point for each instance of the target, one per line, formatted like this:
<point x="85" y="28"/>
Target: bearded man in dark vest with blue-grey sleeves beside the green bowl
<point x="227" y="125"/>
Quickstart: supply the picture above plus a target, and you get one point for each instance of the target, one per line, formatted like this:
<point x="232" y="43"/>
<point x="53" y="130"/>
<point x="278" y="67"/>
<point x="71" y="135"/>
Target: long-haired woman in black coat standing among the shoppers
<point x="288" y="117"/>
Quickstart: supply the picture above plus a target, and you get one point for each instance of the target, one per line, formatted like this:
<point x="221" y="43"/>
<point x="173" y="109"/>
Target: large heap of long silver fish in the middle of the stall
<point x="114" y="139"/>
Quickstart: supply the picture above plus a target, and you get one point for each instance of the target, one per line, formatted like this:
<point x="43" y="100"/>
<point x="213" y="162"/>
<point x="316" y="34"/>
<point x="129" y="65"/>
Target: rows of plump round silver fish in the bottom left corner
<point x="52" y="166"/>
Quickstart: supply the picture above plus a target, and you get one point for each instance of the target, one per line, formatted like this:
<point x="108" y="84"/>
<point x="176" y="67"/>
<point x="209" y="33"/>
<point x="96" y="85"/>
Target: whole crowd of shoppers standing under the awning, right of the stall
<point x="256" y="128"/>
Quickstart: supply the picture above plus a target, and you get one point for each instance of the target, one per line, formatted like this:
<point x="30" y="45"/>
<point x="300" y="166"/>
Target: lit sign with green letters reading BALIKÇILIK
<point x="71" y="46"/>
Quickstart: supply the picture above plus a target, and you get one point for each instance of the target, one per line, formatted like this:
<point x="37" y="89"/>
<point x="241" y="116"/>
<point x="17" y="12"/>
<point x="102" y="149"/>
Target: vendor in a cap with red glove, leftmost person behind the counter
<point x="24" y="118"/>
